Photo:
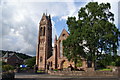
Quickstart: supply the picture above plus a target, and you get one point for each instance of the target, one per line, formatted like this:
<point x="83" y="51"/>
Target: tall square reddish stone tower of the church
<point x="44" y="45"/>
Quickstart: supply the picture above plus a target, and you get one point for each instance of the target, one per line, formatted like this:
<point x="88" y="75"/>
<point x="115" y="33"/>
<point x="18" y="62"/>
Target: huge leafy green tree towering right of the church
<point x="93" y="33"/>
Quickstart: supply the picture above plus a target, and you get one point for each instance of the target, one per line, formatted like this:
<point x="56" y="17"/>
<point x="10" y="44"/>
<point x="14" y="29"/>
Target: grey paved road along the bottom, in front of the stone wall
<point x="33" y="76"/>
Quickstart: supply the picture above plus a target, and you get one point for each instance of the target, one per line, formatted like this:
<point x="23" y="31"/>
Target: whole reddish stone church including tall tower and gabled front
<point x="46" y="56"/>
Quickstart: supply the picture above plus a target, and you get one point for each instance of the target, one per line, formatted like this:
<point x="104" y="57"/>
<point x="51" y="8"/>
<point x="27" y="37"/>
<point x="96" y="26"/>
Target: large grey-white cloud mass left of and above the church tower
<point x="20" y="22"/>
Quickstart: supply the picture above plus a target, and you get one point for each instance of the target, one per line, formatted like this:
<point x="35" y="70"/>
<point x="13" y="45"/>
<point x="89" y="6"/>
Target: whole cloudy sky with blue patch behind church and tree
<point x="19" y="20"/>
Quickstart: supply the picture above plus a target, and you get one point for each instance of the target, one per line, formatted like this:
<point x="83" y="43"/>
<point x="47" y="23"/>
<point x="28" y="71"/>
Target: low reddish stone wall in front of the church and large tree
<point x="83" y="73"/>
